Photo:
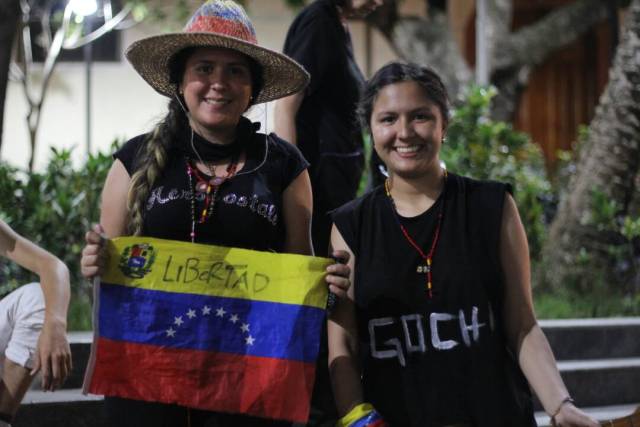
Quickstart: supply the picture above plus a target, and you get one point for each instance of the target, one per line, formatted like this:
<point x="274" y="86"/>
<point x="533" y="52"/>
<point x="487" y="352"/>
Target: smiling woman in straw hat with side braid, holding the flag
<point x="205" y="174"/>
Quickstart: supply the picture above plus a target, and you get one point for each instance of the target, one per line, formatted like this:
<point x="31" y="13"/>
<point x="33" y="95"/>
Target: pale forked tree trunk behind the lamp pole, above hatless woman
<point x="513" y="55"/>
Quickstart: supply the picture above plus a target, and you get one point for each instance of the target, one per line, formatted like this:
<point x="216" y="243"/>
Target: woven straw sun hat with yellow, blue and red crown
<point x="217" y="23"/>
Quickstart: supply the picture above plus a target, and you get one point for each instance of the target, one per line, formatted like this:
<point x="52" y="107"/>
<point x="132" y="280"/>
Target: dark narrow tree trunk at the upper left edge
<point x="9" y="17"/>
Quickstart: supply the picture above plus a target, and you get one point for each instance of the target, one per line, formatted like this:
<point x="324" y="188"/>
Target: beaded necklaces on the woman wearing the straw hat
<point x="209" y="187"/>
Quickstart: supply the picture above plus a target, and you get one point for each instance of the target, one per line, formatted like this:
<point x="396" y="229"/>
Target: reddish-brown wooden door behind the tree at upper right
<point x="563" y="91"/>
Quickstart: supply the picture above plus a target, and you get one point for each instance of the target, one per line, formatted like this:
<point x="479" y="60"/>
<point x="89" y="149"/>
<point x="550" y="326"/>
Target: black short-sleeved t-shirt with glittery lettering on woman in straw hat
<point x="248" y="207"/>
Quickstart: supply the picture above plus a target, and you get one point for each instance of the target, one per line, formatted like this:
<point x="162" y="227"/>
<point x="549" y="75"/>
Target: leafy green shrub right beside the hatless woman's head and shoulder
<point x="481" y="148"/>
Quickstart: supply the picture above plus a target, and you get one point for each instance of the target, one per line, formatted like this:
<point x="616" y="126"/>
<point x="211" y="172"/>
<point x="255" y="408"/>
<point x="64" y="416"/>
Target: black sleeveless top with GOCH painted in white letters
<point x="441" y="360"/>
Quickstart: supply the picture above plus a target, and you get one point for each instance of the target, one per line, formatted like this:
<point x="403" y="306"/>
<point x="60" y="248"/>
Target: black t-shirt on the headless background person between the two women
<point x="326" y="121"/>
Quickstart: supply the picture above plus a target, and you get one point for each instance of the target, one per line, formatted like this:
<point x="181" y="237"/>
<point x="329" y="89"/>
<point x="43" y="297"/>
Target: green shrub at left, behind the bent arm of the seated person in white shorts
<point x="54" y="209"/>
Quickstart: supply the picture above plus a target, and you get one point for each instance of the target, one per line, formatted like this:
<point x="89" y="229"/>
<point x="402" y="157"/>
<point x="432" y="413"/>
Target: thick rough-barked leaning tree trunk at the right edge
<point x="609" y="161"/>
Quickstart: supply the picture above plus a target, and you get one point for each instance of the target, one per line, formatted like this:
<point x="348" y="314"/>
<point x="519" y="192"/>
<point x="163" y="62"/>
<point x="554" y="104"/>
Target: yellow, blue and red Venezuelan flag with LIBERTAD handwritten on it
<point x="208" y="327"/>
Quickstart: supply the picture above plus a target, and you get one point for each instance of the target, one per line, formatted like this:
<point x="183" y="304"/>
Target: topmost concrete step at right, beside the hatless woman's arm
<point x="599" y="338"/>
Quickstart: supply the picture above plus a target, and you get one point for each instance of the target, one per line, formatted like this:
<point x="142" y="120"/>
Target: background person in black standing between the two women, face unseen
<point x="321" y="120"/>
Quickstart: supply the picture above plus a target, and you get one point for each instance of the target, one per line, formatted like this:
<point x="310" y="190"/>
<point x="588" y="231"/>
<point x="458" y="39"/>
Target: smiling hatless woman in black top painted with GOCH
<point x="441" y="297"/>
